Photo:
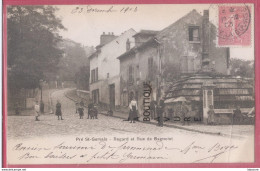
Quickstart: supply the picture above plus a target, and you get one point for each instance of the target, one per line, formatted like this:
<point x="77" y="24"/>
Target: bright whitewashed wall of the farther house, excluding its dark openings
<point x="109" y="66"/>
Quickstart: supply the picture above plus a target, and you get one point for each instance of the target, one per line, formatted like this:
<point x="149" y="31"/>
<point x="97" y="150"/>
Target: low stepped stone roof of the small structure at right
<point x="226" y="88"/>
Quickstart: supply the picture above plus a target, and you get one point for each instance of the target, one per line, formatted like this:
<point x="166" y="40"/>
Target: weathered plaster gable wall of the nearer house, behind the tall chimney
<point x="176" y="48"/>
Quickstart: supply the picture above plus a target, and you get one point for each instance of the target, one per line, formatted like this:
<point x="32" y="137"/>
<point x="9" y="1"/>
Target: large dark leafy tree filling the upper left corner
<point x="32" y="40"/>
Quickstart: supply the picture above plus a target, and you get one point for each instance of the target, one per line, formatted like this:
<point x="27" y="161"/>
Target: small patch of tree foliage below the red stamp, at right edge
<point x="243" y="68"/>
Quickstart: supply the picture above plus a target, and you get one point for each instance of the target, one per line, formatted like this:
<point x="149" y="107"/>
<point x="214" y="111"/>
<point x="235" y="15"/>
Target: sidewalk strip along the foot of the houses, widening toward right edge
<point x="239" y="131"/>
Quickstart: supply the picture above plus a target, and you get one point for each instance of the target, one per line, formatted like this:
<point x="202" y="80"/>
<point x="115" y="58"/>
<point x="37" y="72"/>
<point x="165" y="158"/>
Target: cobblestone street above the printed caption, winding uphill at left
<point x="26" y="126"/>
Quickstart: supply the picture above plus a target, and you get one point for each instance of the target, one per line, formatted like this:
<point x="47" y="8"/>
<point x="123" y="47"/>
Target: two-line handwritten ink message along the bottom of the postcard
<point x="121" y="150"/>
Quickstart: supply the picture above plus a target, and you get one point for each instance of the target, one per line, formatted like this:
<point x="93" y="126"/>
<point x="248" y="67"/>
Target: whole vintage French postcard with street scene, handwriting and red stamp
<point x="130" y="84"/>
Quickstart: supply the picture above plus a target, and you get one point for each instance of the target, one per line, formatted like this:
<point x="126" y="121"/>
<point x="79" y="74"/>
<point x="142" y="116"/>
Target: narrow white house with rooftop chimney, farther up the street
<point x="105" y="67"/>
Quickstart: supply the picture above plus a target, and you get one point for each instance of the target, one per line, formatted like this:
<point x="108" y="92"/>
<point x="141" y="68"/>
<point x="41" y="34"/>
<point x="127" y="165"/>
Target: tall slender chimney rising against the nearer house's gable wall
<point x="205" y="41"/>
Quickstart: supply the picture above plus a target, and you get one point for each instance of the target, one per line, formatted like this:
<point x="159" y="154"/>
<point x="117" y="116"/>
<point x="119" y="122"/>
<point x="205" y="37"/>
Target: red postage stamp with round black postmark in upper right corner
<point x="234" y="26"/>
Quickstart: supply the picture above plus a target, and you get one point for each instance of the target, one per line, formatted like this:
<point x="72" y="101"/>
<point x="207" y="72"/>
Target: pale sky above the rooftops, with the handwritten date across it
<point x="85" y="23"/>
